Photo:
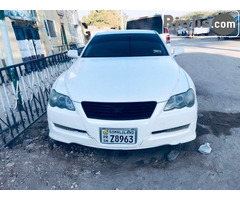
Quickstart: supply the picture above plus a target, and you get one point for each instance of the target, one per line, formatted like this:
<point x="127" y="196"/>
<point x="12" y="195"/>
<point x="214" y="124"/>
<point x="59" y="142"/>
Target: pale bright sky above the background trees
<point x="141" y="13"/>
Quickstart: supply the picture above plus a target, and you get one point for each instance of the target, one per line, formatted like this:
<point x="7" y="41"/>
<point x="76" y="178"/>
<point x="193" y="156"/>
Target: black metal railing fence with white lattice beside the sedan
<point x="24" y="92"/>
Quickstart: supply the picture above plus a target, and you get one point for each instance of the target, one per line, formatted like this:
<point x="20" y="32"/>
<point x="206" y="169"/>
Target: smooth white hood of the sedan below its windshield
<point x="130" y="79"/>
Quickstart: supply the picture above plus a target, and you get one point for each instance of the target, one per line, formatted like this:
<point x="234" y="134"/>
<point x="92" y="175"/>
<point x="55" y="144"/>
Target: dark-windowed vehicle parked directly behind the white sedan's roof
<point x="150" y="23"/>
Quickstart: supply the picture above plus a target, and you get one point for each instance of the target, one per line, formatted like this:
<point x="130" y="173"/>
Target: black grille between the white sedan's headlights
<point x="119" y="111"/>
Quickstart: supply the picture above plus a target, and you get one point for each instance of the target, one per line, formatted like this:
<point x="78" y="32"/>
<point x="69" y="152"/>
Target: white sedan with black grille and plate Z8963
<point x="125" y="91"/>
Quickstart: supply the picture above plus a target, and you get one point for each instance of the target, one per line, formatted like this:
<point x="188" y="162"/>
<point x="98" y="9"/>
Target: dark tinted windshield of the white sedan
<point x="125" y="45"/>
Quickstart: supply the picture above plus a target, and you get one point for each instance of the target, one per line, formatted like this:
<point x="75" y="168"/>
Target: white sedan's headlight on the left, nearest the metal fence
<point x="61" y="101"/>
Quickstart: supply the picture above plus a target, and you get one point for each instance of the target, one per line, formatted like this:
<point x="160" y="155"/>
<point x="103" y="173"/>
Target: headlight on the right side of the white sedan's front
<point x="186" y="99"/>
